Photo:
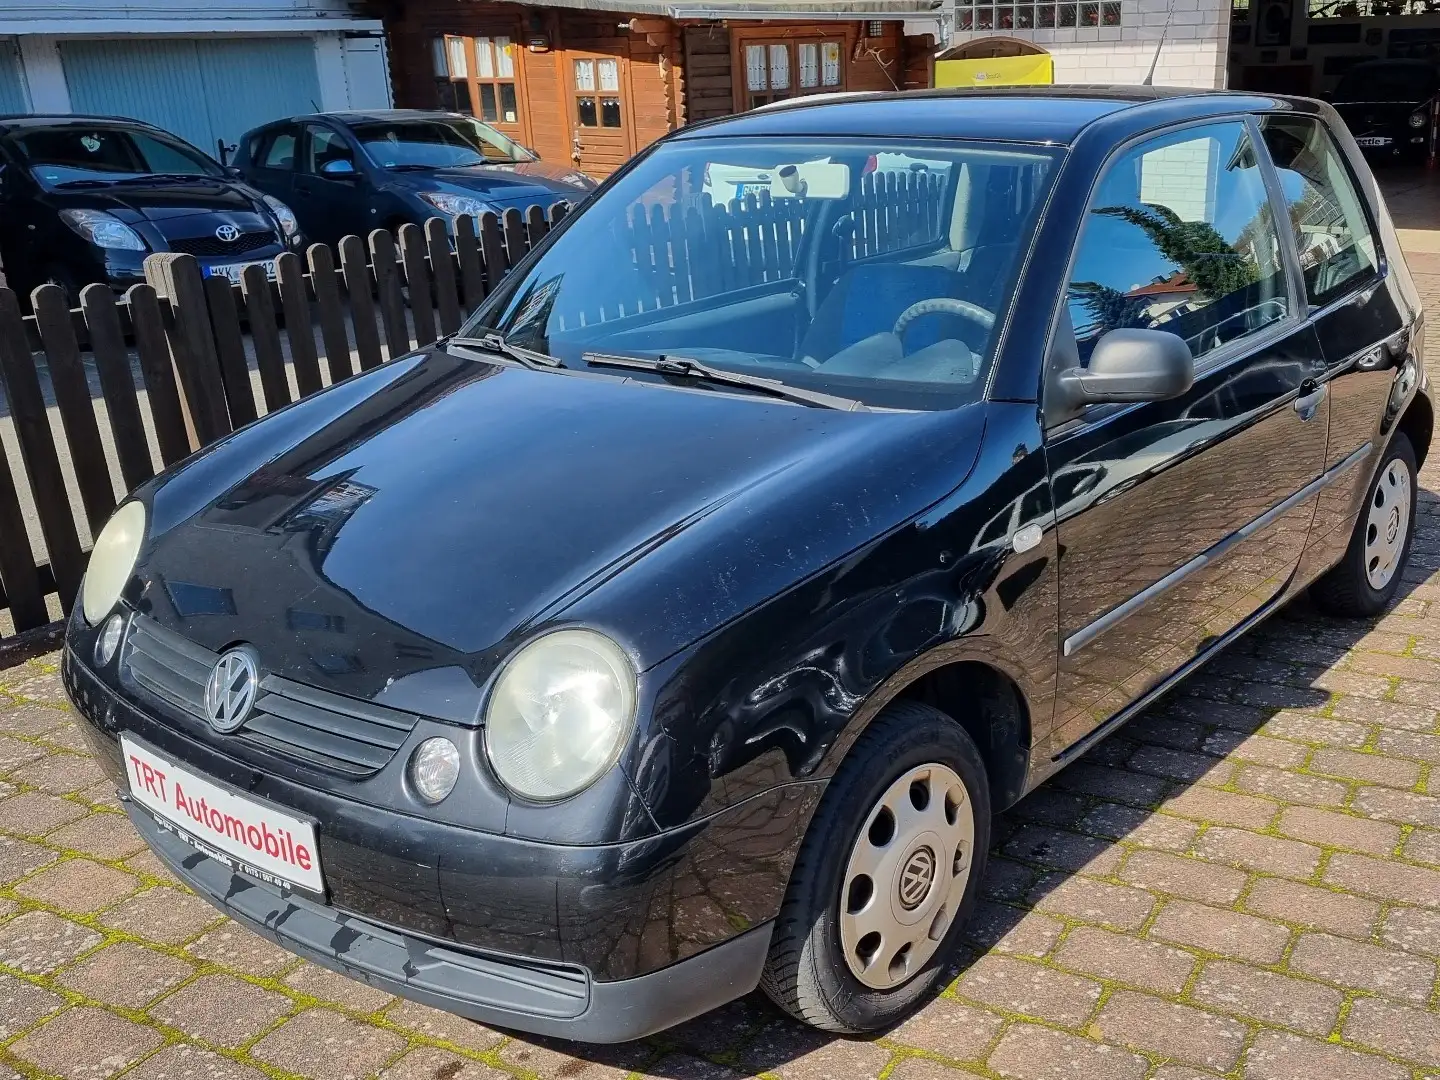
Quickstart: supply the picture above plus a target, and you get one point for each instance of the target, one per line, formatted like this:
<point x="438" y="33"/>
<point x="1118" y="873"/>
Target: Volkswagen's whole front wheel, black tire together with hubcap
<point x="807" y="973"/>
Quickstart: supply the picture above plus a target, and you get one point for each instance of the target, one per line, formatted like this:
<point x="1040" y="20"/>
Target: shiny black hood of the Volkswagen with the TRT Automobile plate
<point x="404" y="531"/>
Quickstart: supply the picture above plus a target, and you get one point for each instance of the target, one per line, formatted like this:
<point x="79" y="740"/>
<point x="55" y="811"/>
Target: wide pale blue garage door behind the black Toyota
<point x="201" y="90"/>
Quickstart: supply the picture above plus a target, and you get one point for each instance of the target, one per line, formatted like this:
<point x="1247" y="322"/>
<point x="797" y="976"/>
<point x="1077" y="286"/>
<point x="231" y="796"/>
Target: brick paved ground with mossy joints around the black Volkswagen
<point x="1243" y="883"/>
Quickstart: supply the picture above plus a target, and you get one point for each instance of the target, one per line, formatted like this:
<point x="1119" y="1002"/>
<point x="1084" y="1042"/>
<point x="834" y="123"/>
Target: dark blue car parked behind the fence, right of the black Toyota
<point x="348" y="174"/>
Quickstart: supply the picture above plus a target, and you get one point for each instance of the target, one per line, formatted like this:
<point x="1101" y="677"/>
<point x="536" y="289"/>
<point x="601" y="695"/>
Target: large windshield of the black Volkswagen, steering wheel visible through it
<point x="865" y="269"/>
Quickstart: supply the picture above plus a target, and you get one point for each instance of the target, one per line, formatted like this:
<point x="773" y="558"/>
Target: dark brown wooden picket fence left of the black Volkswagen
<point x="195" y="341"/>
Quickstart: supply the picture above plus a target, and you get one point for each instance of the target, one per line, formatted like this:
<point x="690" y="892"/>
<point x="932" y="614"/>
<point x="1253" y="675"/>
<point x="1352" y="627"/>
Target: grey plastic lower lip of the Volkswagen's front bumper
<point x="546" y="1000"/>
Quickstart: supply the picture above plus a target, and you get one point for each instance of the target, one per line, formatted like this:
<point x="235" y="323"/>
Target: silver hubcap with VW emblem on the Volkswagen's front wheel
<point x="906" y="876"/>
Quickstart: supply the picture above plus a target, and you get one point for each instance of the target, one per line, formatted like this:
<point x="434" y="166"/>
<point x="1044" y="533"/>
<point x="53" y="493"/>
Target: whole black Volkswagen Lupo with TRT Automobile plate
<point x="679" y="627"/>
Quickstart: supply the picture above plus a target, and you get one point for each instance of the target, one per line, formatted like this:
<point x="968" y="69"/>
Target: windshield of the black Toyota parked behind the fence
<point x="109" y="155"/>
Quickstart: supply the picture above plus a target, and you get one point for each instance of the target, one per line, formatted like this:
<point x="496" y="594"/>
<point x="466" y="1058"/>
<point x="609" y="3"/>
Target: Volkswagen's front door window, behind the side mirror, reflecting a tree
<point x="1180" y="237"/>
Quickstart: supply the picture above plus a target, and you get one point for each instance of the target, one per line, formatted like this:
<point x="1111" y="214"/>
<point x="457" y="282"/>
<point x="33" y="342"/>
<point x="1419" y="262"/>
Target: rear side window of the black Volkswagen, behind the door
<point x="1331" y="231"/>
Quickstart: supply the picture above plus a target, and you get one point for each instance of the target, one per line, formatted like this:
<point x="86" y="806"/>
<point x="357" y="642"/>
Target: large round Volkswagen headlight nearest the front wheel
<point x="561" y="714"/>
